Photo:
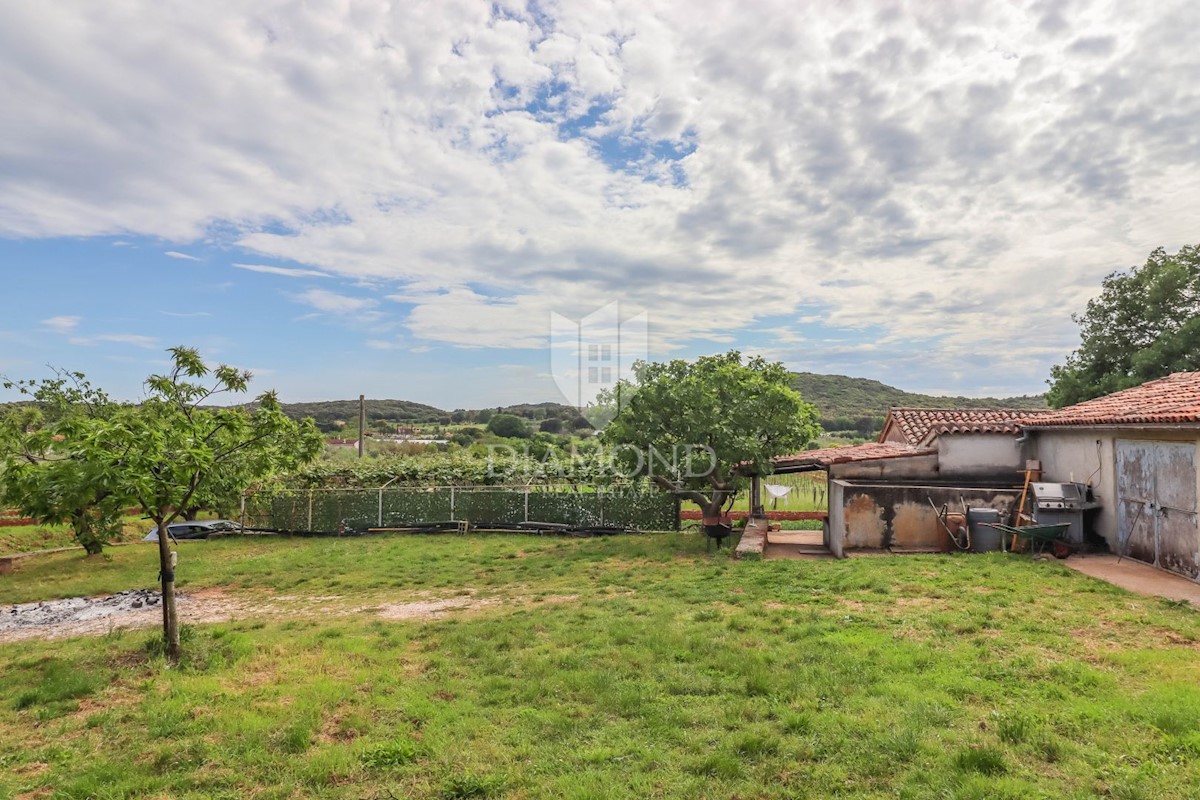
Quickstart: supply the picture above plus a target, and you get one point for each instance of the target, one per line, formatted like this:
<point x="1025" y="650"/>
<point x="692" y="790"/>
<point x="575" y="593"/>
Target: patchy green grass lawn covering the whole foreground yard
<point x="625" y="667"/>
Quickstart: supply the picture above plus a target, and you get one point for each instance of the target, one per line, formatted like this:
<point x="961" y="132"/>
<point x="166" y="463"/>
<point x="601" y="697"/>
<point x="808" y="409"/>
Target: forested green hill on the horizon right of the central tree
<point x="838" y="396"/>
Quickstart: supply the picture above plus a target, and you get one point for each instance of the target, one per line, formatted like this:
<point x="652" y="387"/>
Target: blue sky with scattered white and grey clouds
<point x="397" y="199"/>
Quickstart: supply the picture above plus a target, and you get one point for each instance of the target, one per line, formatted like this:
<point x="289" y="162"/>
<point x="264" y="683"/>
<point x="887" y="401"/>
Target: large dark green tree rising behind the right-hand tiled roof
<point x="1145" y="324"/>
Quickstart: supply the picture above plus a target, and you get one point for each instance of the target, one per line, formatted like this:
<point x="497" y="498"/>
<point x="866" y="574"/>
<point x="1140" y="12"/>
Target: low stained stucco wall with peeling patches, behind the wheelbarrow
<point x="878" y="516"/>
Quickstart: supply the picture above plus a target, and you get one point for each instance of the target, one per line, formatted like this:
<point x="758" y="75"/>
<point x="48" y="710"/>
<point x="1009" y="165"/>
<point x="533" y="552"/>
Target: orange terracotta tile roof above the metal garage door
<point x="1174" y="400"/>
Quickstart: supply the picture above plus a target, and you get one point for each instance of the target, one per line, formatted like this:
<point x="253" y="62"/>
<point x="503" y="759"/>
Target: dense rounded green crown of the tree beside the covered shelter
<point x="698" y="429"/>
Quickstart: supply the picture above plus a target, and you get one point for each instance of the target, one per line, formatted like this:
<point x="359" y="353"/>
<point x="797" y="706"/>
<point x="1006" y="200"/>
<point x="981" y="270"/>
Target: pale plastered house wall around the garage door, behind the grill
<point x="1089" y="456"/>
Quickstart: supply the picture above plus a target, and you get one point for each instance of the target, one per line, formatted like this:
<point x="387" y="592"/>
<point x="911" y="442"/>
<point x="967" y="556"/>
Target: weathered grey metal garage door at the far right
<point x="1157" y="504"/>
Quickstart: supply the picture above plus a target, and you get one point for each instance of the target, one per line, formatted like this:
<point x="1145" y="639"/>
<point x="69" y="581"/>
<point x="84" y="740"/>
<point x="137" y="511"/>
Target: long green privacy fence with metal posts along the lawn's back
<point x="327" y="510"/>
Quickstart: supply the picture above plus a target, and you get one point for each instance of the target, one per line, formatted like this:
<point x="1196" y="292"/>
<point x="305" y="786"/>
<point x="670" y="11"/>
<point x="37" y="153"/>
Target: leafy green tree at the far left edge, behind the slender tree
<point x="45" y="472"/>
